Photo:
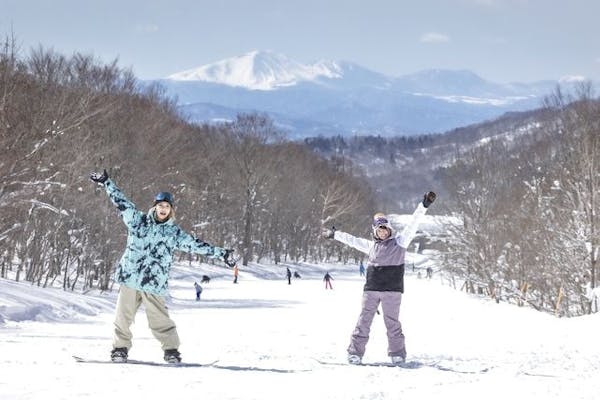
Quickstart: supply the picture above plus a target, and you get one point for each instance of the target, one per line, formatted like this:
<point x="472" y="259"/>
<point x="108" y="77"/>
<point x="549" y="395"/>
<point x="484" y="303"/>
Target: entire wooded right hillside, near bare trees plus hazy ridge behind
<point x="526" y="188"/>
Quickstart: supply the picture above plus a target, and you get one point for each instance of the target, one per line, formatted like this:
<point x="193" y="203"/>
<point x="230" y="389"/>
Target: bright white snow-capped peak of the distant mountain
<point x="259" y="70"/>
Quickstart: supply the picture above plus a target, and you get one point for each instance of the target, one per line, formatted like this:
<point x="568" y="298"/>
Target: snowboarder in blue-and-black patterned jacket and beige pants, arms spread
<point x="143" y="270"/>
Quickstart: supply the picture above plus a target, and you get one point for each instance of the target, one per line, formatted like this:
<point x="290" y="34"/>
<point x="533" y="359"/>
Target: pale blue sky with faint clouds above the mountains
<point x="501" y="40"/>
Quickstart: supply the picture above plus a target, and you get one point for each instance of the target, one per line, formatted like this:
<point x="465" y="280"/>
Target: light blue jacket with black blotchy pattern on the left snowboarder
<point x="146" y="263"/>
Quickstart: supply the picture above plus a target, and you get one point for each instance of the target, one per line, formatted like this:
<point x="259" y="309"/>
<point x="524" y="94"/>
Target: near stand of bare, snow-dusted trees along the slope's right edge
<point x="527" y="210"/>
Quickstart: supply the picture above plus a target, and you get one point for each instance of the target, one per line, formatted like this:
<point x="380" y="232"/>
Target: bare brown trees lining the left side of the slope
<point x="237" y="184"/>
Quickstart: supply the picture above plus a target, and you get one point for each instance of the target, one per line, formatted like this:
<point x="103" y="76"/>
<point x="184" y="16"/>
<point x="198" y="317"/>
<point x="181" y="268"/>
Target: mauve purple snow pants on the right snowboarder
<point x="390" y="304"/>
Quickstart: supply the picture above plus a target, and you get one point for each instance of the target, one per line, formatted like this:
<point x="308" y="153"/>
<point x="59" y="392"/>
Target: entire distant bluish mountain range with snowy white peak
<point x="343" y="98"/>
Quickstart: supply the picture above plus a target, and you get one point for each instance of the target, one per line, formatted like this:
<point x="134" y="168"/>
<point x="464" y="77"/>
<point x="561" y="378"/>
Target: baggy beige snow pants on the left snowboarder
<point x="163" y="328"/>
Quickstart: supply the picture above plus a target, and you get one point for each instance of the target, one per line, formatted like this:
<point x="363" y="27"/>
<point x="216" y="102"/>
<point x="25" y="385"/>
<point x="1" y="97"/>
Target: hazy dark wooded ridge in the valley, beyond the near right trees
<point x="400" y="168"/>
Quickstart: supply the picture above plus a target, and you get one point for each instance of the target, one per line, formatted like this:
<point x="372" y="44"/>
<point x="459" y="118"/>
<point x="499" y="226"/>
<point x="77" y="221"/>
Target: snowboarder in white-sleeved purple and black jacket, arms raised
<point x="384" y="280"/>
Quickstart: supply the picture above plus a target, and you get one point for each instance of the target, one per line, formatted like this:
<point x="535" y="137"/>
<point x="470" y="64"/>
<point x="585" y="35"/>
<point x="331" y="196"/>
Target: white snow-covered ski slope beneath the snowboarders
<point x="269" y="337"/>
